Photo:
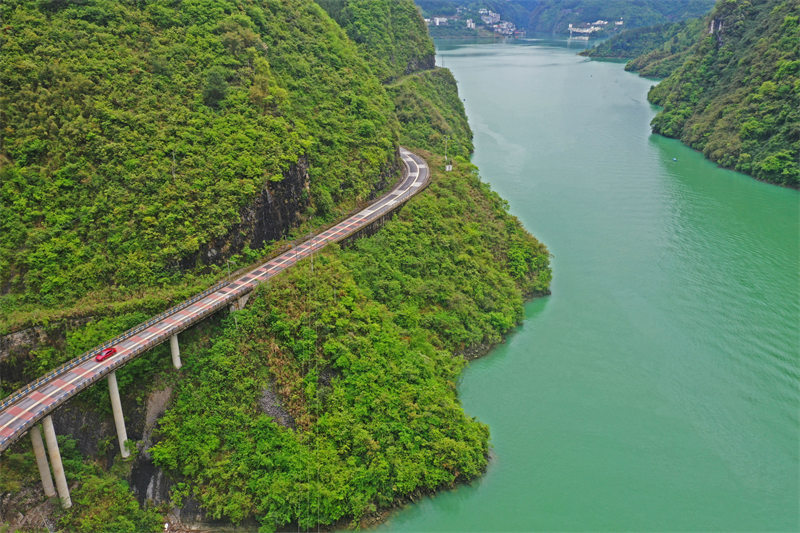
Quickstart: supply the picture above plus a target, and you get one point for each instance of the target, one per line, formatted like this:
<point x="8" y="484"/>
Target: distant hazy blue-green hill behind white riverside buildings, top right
<point x="556" y="15"/>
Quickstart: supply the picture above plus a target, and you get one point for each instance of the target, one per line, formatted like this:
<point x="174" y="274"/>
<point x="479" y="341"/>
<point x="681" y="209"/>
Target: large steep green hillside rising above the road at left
<point x="133" y="134"/>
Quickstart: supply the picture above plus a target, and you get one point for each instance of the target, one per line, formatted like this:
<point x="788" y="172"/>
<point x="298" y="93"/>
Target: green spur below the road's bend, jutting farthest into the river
<point x="464" y="272"/>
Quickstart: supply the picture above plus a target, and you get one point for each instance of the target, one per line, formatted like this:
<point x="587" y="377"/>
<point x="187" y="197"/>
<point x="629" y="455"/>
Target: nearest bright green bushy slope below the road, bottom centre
<point x="375" y="408"/>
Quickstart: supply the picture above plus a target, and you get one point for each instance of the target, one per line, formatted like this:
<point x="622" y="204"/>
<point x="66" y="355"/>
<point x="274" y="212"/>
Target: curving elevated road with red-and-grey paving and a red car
<point x="20" y="411"/>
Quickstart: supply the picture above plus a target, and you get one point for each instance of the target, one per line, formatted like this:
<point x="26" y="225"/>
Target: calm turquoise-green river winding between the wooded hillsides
<point x="657" y="388"/>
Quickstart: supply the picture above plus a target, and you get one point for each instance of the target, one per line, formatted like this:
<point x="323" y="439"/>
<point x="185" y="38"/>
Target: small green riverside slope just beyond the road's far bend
<point x="429" y="110"/>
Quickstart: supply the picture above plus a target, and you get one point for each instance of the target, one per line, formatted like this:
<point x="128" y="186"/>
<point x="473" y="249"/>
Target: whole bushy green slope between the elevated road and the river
<point x="362" y="357"/>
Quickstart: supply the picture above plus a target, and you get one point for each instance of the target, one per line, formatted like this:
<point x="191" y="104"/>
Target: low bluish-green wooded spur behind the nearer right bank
<point x="654" y="51"/>
